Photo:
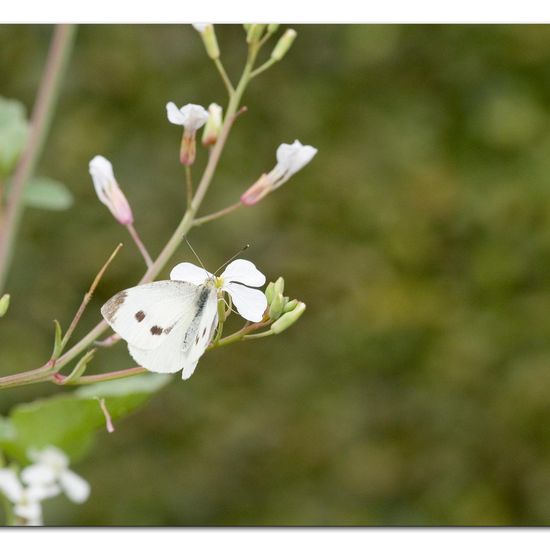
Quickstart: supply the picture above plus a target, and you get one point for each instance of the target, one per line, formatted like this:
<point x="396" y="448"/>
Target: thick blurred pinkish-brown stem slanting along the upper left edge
<point x="48" y="93"/>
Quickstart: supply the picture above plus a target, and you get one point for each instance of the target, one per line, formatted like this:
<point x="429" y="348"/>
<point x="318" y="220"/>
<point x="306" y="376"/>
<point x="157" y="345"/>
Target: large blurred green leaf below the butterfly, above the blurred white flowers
<point x="70" y="421"/>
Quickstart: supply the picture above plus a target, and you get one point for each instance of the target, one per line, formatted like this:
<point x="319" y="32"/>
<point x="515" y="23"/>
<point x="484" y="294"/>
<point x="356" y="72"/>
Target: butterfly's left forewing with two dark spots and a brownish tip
<point x="146" y="315"/>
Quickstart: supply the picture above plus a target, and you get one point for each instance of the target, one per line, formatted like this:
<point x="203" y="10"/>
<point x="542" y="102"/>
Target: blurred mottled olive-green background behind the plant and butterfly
<point x="415" y="390"/>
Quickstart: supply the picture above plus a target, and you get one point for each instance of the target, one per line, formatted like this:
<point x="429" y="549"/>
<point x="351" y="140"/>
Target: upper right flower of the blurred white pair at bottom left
<point x="52" y="467"/>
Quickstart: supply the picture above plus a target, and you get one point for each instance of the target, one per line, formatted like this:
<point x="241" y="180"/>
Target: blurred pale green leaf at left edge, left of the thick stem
<point x="14" y="130"/>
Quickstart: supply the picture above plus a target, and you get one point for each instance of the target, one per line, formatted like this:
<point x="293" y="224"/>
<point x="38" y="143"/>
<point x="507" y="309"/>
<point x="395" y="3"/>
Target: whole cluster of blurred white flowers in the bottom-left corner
<point x="47" y="477"/>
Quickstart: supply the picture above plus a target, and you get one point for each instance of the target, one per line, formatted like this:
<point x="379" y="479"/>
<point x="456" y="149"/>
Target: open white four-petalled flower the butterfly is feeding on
<point x="238" y="276"/>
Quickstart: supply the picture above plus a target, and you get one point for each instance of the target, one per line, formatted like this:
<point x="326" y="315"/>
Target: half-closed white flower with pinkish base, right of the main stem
<point x="290" y="159"/>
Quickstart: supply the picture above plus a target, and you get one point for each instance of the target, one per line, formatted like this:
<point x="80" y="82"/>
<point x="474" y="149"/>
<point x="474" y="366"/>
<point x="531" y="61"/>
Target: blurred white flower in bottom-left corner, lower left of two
<point x="26" y="500"/>
